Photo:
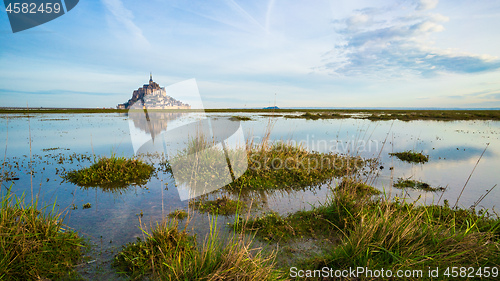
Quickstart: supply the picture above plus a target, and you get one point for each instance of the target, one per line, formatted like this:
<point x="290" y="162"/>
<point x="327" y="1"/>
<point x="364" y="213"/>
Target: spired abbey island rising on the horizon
<point x="153" y="97"/>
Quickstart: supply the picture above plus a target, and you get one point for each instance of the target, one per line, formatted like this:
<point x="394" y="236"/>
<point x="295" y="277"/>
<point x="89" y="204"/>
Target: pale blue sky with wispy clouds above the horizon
<point x="252" y="54"/>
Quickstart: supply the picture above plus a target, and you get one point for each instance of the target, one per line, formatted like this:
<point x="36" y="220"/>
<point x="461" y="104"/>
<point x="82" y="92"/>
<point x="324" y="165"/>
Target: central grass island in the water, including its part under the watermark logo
<point x="270" y="166"/>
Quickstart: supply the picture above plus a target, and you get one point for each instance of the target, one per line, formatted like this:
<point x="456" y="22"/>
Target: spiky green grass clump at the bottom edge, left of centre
<point x="170" y="254"/>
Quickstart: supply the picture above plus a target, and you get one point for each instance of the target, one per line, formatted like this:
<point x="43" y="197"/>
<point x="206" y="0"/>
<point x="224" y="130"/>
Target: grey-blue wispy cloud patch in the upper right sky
<point x="396" y="41"/>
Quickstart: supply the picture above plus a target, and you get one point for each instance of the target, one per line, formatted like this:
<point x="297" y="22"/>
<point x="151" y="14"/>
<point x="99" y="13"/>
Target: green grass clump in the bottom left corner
<point x="34" y="244"/>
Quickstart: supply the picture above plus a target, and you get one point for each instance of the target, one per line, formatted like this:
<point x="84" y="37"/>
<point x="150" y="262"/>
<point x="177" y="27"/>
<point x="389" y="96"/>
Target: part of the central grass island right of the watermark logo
<point x="287" y="166"/>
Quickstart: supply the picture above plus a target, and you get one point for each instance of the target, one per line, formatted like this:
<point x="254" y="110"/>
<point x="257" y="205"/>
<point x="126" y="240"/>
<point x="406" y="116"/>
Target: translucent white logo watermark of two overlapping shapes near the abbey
<point x="204" y="153"/>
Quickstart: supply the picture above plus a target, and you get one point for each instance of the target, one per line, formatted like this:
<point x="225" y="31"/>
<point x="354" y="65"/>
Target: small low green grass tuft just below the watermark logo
<point x="221" y="206"/>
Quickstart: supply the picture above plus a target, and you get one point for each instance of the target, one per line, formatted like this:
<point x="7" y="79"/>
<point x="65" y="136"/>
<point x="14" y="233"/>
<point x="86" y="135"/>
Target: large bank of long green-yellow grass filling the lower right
<point x="378" y="232"/>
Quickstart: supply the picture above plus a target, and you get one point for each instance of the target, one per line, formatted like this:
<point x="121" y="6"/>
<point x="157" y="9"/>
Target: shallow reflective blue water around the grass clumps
<point x="113" y="220"/>
